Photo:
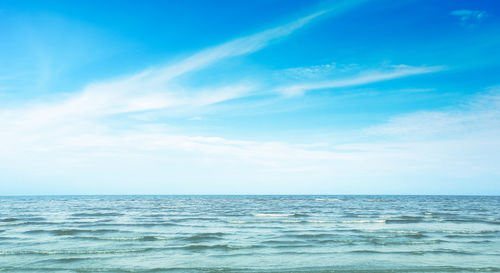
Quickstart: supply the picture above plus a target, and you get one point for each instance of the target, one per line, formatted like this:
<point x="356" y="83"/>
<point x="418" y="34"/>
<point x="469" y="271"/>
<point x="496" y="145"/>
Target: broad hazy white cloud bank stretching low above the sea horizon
<point x="461" y="144"/>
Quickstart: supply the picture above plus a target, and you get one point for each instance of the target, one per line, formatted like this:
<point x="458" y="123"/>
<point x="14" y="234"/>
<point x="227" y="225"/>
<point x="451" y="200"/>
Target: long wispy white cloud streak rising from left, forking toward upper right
<point x="152" y="89"/>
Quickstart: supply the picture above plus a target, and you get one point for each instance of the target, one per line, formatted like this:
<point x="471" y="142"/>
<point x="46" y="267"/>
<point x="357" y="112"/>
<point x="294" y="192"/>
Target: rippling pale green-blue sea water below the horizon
<point x="250" y="234"/>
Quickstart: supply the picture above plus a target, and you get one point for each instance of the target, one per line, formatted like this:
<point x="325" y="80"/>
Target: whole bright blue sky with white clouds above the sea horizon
<point x="250" y="97"/>
